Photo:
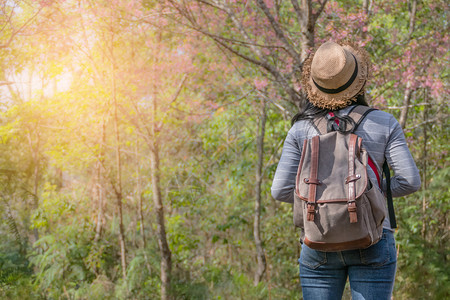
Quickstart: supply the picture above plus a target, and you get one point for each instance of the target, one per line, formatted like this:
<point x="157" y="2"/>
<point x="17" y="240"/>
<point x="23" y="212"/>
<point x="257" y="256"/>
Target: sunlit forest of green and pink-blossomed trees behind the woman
<point x="139" y="139"/>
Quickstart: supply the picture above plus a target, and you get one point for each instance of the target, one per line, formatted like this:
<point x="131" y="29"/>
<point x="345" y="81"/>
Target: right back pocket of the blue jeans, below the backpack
<point x="377" y="255"/>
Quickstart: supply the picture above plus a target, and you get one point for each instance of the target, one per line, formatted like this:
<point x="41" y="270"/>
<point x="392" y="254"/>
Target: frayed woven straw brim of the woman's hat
<point x="342" y="99"/>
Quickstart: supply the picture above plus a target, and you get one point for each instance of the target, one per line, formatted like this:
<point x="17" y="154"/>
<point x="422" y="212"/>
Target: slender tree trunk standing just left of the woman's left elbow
<point x="260" y="255"/>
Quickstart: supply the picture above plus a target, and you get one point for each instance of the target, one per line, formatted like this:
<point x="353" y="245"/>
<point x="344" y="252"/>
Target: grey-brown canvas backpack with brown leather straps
<point x="335" y="203"/>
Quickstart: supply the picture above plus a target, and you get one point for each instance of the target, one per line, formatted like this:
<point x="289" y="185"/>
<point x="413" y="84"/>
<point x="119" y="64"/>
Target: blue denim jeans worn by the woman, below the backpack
<point x="371" y="271"/>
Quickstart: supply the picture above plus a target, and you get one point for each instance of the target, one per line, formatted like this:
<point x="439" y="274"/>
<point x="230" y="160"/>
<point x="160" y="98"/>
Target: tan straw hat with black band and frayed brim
<point x="335" y="75"/>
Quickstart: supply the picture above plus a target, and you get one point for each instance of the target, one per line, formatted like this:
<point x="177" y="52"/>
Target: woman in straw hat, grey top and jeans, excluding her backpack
<point x="371" y="271"/>
